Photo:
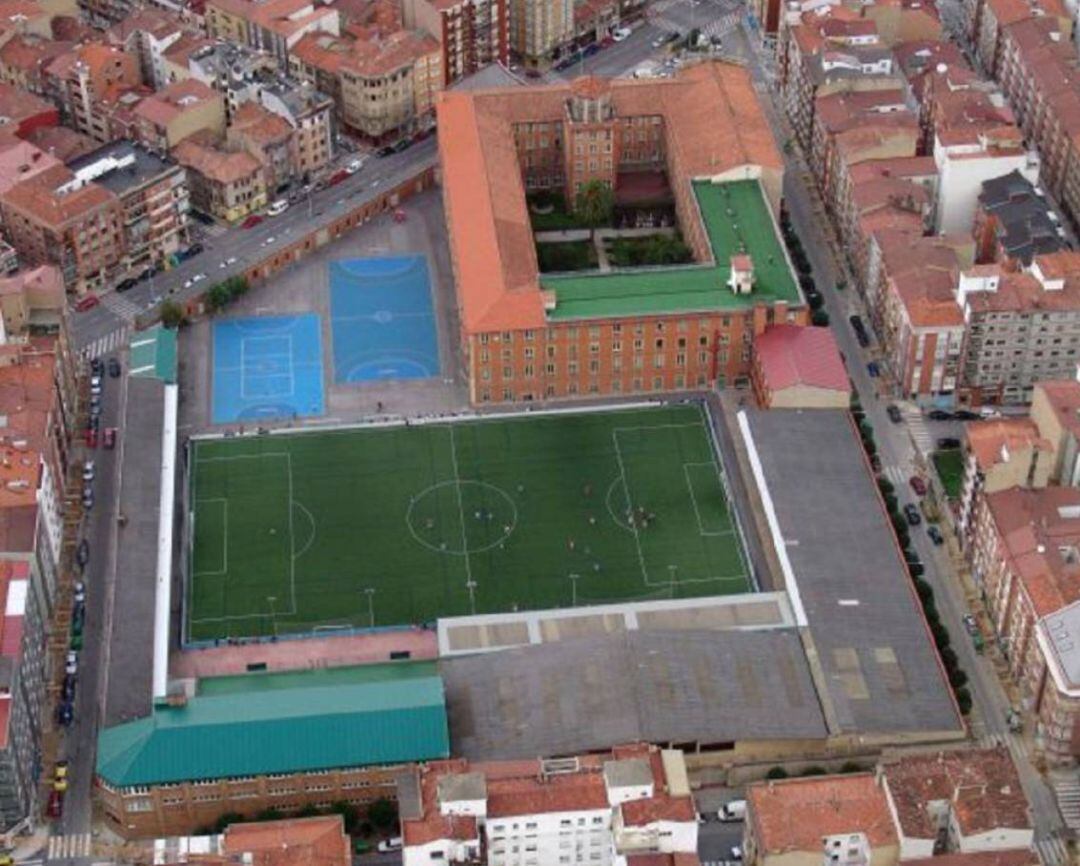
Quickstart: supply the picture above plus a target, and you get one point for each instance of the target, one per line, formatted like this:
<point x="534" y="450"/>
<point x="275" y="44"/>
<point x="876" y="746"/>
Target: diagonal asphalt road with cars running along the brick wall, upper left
<point x="228" y="251"/>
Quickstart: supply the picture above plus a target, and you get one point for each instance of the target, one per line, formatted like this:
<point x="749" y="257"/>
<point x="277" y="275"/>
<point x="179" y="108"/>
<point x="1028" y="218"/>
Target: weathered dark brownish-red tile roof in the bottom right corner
<point x="981" y="786"/>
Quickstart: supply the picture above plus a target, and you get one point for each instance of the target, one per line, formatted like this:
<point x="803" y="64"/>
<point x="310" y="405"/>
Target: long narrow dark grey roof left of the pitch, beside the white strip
<point x="130" y="688"/>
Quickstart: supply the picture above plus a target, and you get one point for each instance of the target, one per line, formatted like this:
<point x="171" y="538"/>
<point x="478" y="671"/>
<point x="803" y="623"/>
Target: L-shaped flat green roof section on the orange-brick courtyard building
<point x="697" y="288"/>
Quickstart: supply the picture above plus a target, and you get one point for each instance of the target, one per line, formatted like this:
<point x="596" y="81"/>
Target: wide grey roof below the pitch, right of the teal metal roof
<point x="586" y="694"/>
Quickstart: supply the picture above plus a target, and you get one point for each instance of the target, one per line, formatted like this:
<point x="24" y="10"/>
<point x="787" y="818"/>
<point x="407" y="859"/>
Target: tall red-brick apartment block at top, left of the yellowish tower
<point x="472" y="33"/>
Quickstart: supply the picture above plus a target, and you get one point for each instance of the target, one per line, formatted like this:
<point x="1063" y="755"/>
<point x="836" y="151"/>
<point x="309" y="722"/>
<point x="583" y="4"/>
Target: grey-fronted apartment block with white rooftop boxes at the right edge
<point x="1023" y="327"/>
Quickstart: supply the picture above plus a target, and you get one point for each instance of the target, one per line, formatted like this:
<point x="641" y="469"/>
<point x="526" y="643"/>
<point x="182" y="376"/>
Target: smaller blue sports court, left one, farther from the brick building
<point x="267" y="368"/>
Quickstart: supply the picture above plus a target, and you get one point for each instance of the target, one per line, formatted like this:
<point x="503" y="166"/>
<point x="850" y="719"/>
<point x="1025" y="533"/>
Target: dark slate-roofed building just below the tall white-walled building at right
<point x="1015" y="223"/>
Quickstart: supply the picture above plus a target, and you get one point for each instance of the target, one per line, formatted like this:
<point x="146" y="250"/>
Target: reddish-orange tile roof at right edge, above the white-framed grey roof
<point x="1032" y="530"/>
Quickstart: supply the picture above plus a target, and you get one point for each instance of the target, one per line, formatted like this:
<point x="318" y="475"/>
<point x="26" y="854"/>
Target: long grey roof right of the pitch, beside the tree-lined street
<point x="873" y="646"/>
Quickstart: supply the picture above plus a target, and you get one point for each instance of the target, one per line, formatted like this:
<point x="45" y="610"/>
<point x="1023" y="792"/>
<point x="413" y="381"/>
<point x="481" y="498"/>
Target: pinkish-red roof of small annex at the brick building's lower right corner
<point x="791" y="356"/>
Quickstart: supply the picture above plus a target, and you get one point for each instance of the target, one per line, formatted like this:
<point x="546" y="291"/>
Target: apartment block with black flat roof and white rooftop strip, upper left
<point x="153" y="193"/>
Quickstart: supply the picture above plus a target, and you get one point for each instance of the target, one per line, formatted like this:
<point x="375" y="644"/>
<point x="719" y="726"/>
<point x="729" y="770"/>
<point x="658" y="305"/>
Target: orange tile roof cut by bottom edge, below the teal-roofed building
<point x="320" y="842"/>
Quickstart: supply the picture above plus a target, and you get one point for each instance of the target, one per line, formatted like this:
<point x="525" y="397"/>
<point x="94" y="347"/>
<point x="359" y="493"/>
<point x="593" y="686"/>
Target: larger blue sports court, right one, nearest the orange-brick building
<point x="382" y="319"/>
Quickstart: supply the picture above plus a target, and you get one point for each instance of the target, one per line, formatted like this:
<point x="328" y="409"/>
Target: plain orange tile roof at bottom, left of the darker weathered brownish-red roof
<point x="794" y="815"/>
